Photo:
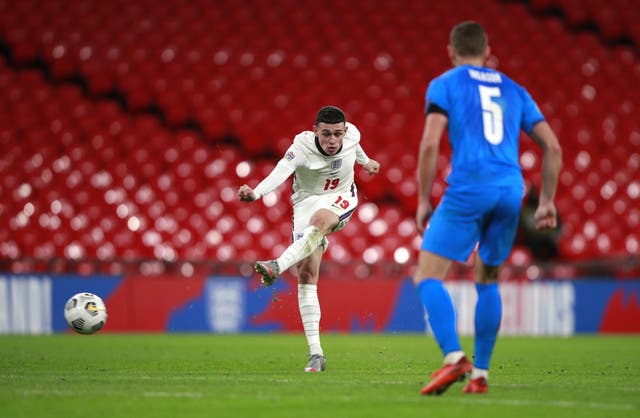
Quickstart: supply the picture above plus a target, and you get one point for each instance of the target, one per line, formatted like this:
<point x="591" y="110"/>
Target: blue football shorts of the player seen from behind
<point x="487" y="216"/>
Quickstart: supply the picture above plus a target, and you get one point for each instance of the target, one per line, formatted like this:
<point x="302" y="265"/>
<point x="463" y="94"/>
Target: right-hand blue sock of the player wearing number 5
<point x="487" y="322"/>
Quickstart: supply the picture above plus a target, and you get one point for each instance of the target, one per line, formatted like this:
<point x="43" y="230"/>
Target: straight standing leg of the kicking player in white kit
<point x="309" y="305"/>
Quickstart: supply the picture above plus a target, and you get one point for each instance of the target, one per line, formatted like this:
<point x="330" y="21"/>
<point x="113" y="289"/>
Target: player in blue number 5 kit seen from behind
<point x="484" y="112"/>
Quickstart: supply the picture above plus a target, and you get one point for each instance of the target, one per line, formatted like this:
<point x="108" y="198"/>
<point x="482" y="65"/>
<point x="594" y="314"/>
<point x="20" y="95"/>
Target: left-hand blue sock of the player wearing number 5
<point x="442" y="315"/>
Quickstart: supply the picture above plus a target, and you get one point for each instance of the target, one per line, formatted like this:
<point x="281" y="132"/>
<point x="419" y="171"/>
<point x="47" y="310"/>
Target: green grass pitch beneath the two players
<point x="261" y="375"/>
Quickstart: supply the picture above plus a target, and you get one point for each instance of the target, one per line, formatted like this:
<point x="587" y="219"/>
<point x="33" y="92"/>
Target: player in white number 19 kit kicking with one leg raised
<point x="324" y="198"/>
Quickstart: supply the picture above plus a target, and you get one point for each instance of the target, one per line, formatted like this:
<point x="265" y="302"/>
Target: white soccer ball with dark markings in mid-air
<point x="85" y="313"/>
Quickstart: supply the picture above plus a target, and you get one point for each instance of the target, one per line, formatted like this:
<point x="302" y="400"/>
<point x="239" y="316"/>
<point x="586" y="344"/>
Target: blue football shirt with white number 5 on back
<point x="486" y="111"/>
